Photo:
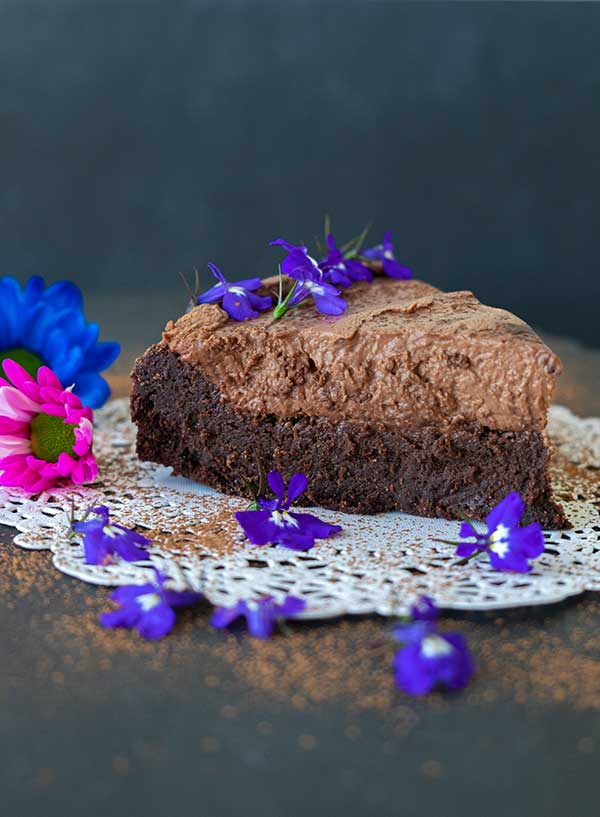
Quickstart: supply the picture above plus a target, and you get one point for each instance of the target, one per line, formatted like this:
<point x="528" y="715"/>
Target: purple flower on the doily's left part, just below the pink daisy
<point x="103" y="539"/>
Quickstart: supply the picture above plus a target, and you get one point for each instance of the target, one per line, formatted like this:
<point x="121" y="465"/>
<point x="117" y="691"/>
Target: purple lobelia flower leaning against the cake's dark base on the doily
<point x="274" y="523"/>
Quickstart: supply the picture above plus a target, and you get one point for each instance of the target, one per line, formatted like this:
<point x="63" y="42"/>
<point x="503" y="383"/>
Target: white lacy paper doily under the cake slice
<point x="378" y="564"/>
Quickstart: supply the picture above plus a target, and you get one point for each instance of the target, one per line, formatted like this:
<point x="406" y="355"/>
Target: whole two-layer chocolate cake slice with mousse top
<point x="413" y="399"/>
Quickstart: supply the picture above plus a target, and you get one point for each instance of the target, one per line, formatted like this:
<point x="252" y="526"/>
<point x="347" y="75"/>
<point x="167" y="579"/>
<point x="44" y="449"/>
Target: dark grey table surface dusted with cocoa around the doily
<point x="216" y="724"/>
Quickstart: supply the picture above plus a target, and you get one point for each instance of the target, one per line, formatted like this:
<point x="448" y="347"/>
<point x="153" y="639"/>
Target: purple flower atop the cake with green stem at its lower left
<point x="309" y="282"/>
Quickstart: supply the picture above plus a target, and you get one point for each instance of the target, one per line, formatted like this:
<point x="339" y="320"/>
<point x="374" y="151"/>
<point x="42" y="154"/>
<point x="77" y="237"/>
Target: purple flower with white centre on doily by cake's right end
<point x="508" y="545"/>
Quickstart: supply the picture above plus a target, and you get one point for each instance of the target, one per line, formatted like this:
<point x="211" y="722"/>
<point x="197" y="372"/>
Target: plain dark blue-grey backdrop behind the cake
<point x="139" y="139"/>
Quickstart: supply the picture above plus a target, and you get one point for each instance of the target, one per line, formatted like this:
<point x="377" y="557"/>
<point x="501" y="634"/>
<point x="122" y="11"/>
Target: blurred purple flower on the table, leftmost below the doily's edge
<point x="148" y="608"/>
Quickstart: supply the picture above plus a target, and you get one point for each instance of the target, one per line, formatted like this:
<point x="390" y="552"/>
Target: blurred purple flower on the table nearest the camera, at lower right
<point x="430" y="659"/>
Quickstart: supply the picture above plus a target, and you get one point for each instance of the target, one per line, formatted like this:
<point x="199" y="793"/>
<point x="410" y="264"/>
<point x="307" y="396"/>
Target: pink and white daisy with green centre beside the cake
<point x="45" y="432"/>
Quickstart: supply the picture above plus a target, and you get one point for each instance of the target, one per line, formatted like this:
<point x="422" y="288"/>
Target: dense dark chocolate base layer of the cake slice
<point x="352" y="465"/>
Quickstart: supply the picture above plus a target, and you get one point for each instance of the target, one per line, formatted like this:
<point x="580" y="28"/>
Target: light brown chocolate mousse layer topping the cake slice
<point x="404" y="354"/>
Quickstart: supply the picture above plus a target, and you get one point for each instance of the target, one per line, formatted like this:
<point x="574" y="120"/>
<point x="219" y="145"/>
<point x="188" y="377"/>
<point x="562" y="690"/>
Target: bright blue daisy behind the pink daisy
<point x="42" y="325"/>
